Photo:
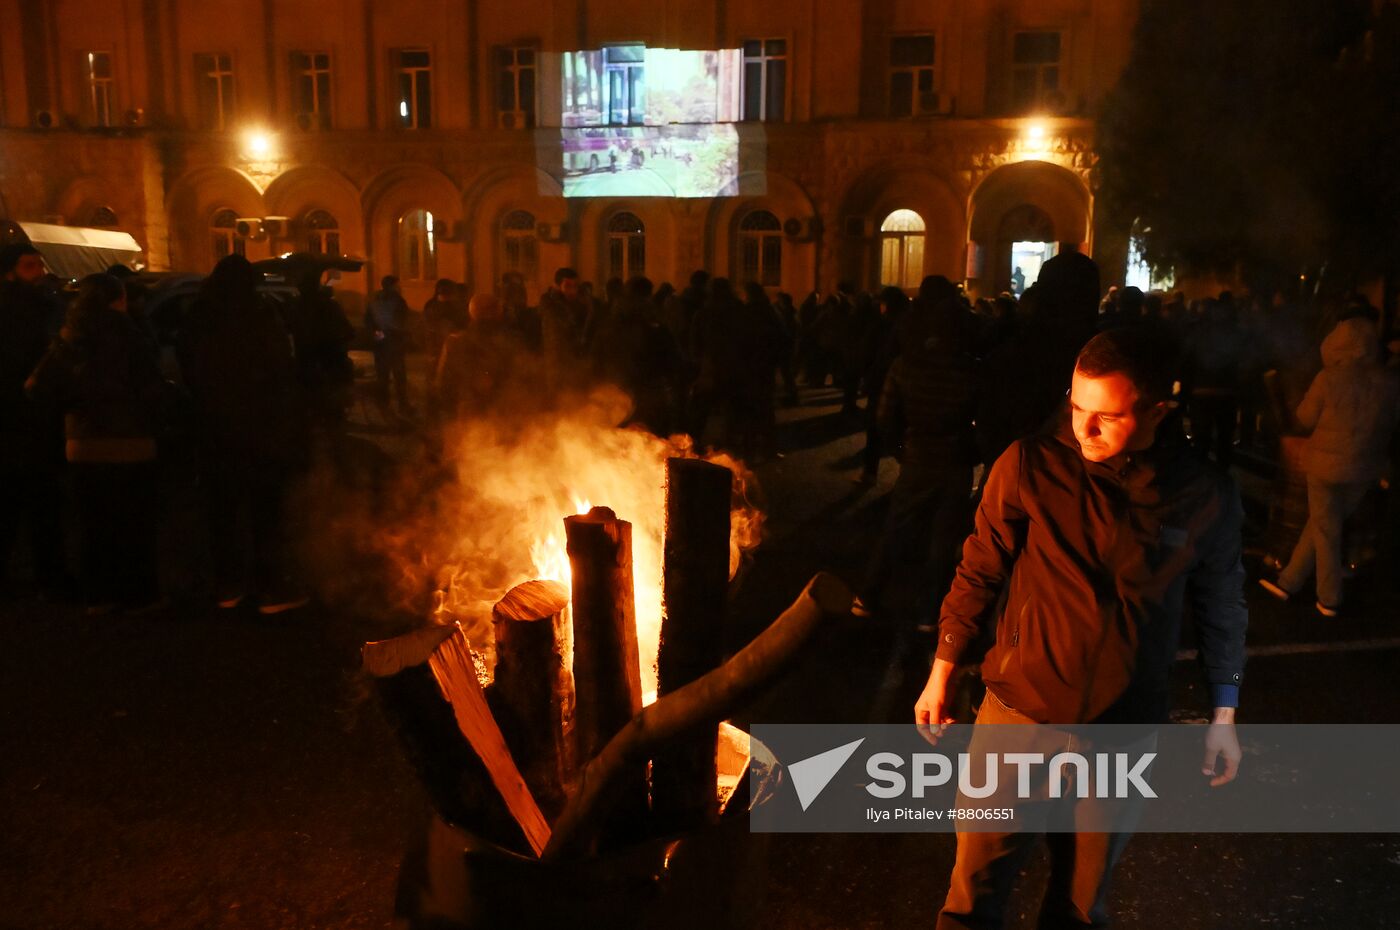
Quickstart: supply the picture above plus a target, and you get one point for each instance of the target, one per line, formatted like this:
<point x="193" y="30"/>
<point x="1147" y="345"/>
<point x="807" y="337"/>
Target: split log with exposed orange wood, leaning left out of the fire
<point x="429" y="688"/>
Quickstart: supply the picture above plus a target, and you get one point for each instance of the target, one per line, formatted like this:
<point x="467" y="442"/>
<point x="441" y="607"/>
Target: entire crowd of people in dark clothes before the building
<point x="950" y="384"/>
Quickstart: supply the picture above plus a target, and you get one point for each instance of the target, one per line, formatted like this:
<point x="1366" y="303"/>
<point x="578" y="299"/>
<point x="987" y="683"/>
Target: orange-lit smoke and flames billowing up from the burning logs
<point x="449" y="540"/>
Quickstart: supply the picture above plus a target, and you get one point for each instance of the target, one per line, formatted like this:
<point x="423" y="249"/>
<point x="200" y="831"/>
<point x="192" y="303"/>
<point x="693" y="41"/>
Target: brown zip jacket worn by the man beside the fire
<point x="1101" y="560"/>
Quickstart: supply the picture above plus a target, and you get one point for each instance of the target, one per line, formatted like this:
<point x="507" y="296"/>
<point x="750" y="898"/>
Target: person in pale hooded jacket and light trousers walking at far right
<point x="1352" y="411"/>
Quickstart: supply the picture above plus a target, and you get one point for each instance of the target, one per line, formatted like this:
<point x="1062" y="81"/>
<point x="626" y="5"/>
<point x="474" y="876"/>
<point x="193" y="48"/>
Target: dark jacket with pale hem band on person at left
<point x="101" y="372"/>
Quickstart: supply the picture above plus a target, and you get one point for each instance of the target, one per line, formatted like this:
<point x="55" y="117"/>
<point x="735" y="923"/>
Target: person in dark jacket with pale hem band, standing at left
<point x="101" y="372"/>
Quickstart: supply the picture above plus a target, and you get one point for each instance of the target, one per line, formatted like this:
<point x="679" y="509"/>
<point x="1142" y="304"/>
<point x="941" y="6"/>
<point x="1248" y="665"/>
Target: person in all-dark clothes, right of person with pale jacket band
<point x="237" y="362"/>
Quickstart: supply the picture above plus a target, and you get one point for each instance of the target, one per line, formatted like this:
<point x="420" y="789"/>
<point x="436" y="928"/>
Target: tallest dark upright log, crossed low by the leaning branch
<point x="692" y="632"/>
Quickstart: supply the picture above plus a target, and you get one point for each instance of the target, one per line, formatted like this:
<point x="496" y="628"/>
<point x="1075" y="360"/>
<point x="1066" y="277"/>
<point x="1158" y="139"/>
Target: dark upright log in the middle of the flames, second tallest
<point x="607" y="673"/>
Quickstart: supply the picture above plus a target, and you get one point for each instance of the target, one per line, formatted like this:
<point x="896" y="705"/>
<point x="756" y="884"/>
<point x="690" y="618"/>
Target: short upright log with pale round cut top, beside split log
<point x="534" y="694"/>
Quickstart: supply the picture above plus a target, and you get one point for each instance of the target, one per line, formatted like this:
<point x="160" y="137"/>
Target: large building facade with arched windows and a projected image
<point x="877" y="141"/>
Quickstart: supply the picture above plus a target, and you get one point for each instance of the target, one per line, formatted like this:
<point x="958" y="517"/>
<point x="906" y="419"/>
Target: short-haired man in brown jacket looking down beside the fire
<point x="1101" y="533"/>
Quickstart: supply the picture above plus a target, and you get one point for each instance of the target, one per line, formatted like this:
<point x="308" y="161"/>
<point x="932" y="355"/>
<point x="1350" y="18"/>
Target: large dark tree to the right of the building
<point x="1259" y="139"/>
